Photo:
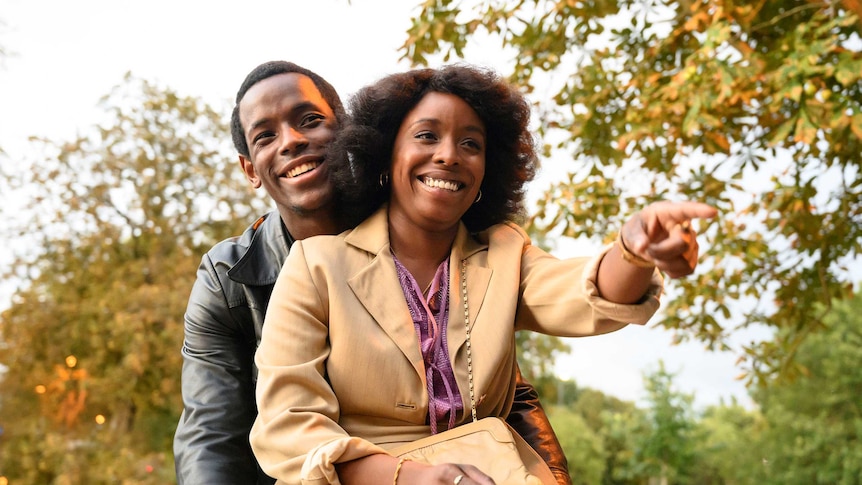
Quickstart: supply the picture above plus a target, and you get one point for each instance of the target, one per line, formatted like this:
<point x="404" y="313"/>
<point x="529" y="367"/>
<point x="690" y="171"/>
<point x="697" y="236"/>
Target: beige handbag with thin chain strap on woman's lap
<point x="489" y="444"/>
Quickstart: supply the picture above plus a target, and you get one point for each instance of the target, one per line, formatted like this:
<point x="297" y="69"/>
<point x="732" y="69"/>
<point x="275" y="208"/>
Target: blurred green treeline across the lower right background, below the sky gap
<point x="803" y="431"/>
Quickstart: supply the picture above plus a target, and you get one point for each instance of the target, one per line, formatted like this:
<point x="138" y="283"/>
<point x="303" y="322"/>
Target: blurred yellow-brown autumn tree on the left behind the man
<point x="117" y="222"/>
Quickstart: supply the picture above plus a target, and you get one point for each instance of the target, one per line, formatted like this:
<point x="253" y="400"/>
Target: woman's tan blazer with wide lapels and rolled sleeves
<point x="340" y="358"/>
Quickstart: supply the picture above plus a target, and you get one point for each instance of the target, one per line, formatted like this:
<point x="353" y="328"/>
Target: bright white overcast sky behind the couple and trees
<point x="65" y="55"/>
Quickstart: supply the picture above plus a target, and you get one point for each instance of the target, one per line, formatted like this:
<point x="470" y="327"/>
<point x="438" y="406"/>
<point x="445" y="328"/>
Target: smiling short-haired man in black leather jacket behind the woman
<point x="284" y="119"/>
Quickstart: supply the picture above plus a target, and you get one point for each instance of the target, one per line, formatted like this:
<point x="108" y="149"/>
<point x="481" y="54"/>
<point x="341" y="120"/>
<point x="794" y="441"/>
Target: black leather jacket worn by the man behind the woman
<point x="223" y="321"/>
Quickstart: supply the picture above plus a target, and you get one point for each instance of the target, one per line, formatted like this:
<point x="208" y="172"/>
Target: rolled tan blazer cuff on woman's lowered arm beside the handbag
<point x="319" y="465"/>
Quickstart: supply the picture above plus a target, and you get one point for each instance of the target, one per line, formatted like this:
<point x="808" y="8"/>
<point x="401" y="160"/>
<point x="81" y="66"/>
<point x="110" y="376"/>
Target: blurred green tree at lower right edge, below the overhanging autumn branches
<point x="813" y="425"/>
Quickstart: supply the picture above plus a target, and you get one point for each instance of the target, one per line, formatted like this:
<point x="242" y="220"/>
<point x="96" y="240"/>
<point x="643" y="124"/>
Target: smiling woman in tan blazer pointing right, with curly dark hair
<point x="379" y="309"/>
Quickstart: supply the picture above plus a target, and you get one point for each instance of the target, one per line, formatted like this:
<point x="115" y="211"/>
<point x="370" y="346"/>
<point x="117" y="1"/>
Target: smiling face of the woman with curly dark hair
<point x="438" y="163"/>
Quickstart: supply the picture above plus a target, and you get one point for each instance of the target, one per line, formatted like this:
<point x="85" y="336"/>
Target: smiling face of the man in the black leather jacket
<point x="287" y="125"/>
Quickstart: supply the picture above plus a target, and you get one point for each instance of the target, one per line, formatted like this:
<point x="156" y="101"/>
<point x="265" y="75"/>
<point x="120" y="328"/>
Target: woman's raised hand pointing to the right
<point x="661" y="234"/>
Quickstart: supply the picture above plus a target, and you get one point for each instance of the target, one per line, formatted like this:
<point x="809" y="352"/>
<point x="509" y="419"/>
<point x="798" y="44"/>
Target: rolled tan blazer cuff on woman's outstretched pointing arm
<point x="639" y="312"/>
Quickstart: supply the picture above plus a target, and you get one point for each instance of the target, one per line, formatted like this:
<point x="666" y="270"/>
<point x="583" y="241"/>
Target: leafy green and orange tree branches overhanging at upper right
<point x="752" y="106"/>
